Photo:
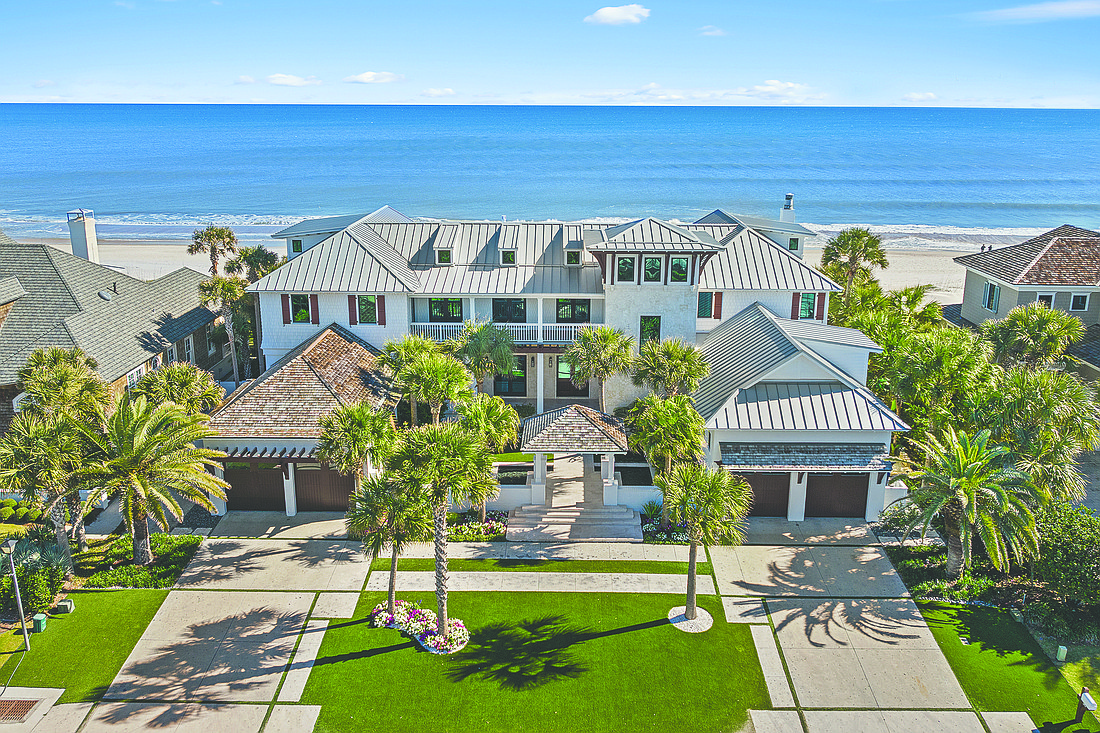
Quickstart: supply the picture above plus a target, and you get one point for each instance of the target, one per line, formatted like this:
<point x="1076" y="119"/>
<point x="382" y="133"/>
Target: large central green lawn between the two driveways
<point x="542" y="662"/>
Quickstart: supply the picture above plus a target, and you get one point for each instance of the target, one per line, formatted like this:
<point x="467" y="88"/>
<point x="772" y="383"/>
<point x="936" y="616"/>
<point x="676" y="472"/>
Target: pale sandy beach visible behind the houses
<point x="152" y="259"/>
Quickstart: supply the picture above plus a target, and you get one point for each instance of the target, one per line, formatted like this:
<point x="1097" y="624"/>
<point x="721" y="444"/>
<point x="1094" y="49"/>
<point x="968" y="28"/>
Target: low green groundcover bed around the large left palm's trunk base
<point x="108" y="563"/>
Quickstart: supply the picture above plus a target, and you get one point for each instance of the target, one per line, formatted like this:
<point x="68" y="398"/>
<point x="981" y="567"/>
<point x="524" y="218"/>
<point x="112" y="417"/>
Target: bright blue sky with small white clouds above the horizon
<point x="970" y="53"/>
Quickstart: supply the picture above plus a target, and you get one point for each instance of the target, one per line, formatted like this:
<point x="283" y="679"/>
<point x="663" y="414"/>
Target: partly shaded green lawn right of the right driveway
<point x="1003" y="669"/>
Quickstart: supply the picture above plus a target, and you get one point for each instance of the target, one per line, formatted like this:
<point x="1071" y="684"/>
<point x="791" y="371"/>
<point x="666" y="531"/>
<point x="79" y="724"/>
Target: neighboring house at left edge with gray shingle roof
<point x="52" y="299"/>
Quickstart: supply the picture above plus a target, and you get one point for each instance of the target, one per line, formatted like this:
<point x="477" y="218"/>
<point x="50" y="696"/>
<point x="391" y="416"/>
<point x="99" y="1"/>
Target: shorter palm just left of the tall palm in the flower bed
<point x="383" y="512"/>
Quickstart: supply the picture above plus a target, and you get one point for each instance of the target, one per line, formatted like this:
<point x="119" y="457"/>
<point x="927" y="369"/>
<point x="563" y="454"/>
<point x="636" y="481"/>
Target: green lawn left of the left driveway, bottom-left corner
<point x="84" y="651"/>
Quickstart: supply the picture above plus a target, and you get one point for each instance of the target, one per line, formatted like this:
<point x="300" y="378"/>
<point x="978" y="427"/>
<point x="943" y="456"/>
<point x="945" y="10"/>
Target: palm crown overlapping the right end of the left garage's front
<point x="355" y="437"/>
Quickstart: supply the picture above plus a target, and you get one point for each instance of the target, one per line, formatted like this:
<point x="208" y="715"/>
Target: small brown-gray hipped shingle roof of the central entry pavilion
<point x="575" y="429"/>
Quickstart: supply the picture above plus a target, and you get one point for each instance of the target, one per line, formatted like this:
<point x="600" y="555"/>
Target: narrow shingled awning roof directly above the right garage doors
<point x="755" y="457"/>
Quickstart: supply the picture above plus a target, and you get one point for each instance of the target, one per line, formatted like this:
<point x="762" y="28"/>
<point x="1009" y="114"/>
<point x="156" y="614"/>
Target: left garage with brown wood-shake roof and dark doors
<point x="270" y="428"/>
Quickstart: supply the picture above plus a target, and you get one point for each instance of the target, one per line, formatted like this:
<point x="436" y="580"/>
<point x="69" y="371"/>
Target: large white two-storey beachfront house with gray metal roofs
<point x="783" y="381"/>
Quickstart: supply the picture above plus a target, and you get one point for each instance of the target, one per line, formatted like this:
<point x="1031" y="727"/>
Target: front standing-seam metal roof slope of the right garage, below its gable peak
<point x="806" y="407"/>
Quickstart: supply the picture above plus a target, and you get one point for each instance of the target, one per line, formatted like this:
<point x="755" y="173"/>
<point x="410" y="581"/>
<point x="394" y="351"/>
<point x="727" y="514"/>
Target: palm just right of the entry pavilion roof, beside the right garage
<point x="667" y="429"/>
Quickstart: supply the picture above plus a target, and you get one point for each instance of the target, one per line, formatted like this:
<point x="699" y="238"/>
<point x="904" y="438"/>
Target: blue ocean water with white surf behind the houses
<point x="923" y="178"/>
